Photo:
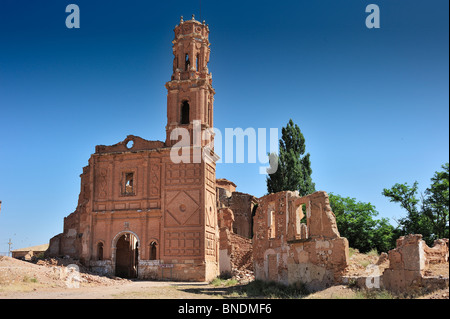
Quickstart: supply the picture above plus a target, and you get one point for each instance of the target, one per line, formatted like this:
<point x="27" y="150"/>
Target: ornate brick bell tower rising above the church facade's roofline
<point x="190" y="94"/>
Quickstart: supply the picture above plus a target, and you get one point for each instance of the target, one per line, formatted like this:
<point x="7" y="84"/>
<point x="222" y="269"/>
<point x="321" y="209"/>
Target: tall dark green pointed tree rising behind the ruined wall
<point x="294" y="168"/>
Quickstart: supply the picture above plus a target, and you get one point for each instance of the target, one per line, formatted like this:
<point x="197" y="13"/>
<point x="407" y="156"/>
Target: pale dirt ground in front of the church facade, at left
<point x="51" y="280"/>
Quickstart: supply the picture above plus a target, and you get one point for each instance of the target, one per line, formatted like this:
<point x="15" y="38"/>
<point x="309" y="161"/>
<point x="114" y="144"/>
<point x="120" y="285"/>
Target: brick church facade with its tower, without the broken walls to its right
<point x="139" y="213"/>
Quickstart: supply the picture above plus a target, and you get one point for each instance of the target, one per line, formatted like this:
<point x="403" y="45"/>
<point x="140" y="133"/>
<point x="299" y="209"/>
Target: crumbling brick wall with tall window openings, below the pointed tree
<point x="296" y="239"/>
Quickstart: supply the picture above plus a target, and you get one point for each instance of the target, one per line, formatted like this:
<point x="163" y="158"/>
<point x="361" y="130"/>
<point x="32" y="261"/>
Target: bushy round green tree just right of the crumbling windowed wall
<point x="355" y="221"/>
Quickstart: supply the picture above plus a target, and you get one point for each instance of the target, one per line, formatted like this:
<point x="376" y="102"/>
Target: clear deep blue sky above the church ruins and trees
<point x="373" y="104"/>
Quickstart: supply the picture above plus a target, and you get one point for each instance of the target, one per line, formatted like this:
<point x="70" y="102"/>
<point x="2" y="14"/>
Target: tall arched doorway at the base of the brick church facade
<point x="126" y="255"/>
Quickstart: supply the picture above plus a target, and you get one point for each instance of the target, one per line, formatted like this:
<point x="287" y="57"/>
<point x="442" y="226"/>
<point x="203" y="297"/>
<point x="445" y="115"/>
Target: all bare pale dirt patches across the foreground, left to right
<point x="53" y="280"/>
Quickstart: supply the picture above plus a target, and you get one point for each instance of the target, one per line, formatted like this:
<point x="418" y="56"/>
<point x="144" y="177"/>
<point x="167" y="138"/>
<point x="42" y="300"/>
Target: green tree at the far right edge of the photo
<point x="429" y="214"/>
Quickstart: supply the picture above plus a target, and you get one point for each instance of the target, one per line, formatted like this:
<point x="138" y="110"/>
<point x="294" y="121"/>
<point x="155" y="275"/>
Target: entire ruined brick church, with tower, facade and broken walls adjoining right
<point x="141" y="214"/>
